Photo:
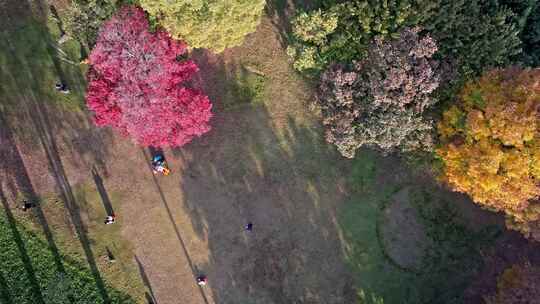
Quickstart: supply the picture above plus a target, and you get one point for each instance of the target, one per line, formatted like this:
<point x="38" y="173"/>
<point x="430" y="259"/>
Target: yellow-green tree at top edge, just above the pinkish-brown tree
<point x="342" y="32"/>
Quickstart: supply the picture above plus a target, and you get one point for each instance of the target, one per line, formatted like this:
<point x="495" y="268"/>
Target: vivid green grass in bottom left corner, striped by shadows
<point x="29" y="274"/>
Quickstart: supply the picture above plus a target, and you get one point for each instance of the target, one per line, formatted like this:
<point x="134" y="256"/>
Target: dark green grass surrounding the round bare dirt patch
<point x="448" y="263"/>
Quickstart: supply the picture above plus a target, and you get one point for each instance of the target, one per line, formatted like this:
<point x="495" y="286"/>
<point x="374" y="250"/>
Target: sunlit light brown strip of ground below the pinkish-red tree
<point x="152" y="218"/>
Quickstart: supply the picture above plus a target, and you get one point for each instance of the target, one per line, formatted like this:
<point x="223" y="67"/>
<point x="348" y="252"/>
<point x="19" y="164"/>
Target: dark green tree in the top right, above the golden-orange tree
<point x="477" y="34"/>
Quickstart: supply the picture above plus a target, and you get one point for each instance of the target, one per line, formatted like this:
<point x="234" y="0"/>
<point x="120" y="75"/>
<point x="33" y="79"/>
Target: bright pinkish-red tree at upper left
<point x="136" y="83"/>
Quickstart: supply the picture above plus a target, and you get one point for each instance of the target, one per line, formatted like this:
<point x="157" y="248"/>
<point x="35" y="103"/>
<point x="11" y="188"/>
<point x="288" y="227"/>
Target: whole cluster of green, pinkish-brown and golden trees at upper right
<point x="381" y="66"/>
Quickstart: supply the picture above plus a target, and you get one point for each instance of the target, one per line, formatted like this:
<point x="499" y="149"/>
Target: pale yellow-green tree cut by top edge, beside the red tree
<point x="212" y="24"/>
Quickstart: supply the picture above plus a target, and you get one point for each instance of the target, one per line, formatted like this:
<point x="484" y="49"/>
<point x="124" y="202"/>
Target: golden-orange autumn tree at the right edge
<point x="490" y="145"/>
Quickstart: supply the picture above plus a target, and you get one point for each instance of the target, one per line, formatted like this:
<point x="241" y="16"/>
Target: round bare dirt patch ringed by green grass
<point x="402" y="235"/>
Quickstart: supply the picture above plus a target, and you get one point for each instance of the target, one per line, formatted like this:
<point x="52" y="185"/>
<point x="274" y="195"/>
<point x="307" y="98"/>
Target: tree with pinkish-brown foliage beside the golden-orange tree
<point x="380" y="100"/>
